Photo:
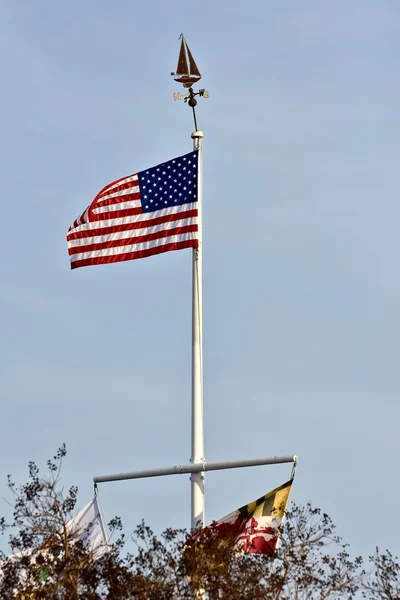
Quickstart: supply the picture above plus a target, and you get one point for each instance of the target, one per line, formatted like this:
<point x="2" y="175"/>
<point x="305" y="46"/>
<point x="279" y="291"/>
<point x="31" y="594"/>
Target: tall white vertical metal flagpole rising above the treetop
<point x="197" y="479"/>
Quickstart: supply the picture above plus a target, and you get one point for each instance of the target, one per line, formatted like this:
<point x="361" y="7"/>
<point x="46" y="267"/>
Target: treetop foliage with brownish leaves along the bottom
<point x="49" y="561"/>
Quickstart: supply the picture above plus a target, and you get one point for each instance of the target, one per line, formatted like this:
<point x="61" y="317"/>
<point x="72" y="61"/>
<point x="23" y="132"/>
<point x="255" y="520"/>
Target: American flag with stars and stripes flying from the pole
<point x="147" y="213"/>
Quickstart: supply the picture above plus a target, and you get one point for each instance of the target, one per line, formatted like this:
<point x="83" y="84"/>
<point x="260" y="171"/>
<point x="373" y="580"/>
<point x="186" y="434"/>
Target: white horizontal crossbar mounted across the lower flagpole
<point x="198" y="468"/>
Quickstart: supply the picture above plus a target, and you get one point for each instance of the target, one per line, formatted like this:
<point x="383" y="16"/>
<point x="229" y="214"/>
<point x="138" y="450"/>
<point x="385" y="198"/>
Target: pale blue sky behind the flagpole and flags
<point x="301" y="246"/>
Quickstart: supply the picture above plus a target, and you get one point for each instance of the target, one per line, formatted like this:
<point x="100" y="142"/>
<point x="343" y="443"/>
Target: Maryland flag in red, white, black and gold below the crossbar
<point x="255" y="527"/>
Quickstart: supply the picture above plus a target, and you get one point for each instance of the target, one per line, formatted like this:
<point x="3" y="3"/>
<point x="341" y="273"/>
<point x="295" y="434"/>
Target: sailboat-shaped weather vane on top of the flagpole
<point x="188" y="74"/>
